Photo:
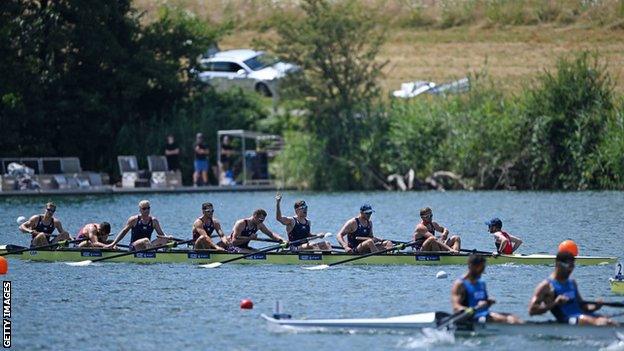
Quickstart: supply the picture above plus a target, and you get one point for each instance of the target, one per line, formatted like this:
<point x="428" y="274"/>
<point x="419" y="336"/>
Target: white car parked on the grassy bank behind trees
<point x="247" y="69"/>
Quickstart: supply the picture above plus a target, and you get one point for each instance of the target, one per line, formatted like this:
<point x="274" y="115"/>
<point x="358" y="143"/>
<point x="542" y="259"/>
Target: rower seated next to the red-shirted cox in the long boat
<point x="424" y="235"/>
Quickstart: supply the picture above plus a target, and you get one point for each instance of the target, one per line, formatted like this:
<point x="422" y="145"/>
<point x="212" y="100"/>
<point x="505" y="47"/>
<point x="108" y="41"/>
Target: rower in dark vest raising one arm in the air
<point x="298" y="226"/>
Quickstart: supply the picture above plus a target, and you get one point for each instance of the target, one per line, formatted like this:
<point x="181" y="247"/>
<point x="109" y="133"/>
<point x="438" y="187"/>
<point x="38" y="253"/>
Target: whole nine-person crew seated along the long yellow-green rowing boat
<point x="355" y="236"/>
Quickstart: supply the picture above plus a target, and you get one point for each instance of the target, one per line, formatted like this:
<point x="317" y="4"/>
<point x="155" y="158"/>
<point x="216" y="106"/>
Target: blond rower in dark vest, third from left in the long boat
<point x="142" y="227"/>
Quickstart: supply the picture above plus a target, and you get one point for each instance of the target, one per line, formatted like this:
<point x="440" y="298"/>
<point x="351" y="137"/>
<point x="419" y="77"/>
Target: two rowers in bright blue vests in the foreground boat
<point x="558" y="294"/>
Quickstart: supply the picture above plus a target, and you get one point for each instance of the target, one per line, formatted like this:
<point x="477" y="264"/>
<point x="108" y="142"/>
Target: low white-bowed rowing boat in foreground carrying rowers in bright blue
<point x="435" y="319"/>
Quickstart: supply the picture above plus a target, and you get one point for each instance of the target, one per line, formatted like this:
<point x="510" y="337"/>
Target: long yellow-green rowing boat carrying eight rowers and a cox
<point x="287" y="257"/>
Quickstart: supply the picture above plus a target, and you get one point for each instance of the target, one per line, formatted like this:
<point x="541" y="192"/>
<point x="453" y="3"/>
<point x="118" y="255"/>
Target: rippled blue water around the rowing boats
<point x="142" y="307"/>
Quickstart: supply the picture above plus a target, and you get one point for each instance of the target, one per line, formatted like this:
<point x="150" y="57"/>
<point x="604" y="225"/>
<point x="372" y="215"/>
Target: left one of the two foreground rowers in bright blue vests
<point x="470" y="292"/>
